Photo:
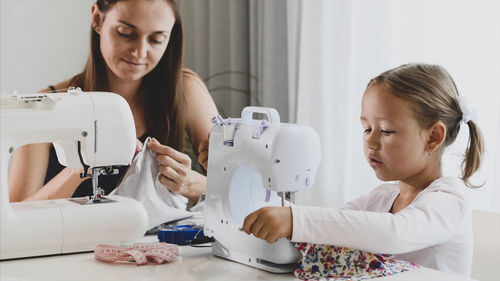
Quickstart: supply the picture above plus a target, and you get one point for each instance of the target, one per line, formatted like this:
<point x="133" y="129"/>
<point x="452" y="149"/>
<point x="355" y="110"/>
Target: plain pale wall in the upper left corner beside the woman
<point x="42" y="42"/>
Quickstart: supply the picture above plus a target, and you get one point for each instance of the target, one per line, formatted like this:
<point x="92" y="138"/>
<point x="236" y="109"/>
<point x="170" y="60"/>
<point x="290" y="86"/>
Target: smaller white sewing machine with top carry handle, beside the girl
<point x="252" y="164"/>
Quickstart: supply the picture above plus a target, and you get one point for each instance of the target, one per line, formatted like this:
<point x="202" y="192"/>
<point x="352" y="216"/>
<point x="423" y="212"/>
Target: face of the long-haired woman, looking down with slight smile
<point x="133" y="36"/>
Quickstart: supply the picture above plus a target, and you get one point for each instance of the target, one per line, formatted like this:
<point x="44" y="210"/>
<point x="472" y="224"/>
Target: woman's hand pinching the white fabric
<point x="174" y="167"/>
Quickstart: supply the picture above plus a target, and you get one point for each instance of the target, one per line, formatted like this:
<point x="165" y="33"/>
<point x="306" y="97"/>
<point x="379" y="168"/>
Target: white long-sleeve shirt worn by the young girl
<point x="435" y="230"/>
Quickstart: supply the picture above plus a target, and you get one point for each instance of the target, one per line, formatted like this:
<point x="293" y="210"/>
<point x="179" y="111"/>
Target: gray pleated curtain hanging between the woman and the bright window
<point x="244" y="50"/>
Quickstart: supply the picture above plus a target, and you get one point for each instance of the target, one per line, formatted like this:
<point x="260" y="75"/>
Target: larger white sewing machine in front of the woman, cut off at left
<point x="89" y="130"/>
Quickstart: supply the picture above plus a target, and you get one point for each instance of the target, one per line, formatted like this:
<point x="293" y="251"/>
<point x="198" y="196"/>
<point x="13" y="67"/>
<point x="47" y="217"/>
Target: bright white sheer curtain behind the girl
<point x="356" y="40"/>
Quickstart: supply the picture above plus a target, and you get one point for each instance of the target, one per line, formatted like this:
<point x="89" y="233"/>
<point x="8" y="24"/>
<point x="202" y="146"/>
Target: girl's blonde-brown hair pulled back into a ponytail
<point x="433" y="96"/>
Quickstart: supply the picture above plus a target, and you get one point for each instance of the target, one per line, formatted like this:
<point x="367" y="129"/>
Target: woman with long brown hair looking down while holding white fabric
<point x="136" y="52"/>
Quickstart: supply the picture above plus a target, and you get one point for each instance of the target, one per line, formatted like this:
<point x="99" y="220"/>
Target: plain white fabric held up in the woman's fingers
<point x="141" y="183"/>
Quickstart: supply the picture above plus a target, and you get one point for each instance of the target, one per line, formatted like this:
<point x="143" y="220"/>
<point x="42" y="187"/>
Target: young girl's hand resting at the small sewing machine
<point x="270" y="223"/>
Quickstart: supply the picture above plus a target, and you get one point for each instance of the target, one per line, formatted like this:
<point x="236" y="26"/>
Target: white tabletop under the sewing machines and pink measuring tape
<point x="191" y="264"/>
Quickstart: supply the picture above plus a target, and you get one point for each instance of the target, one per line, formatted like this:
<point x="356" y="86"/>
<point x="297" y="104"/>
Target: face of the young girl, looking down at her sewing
<point x="394" y="143"/>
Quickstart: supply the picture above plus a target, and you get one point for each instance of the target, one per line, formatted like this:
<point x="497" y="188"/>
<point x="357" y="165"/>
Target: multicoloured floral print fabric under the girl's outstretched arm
<point x="325" y="262"/>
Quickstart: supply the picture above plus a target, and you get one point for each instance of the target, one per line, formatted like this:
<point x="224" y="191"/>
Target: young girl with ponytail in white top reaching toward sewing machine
<point x="409" y="114"/>
